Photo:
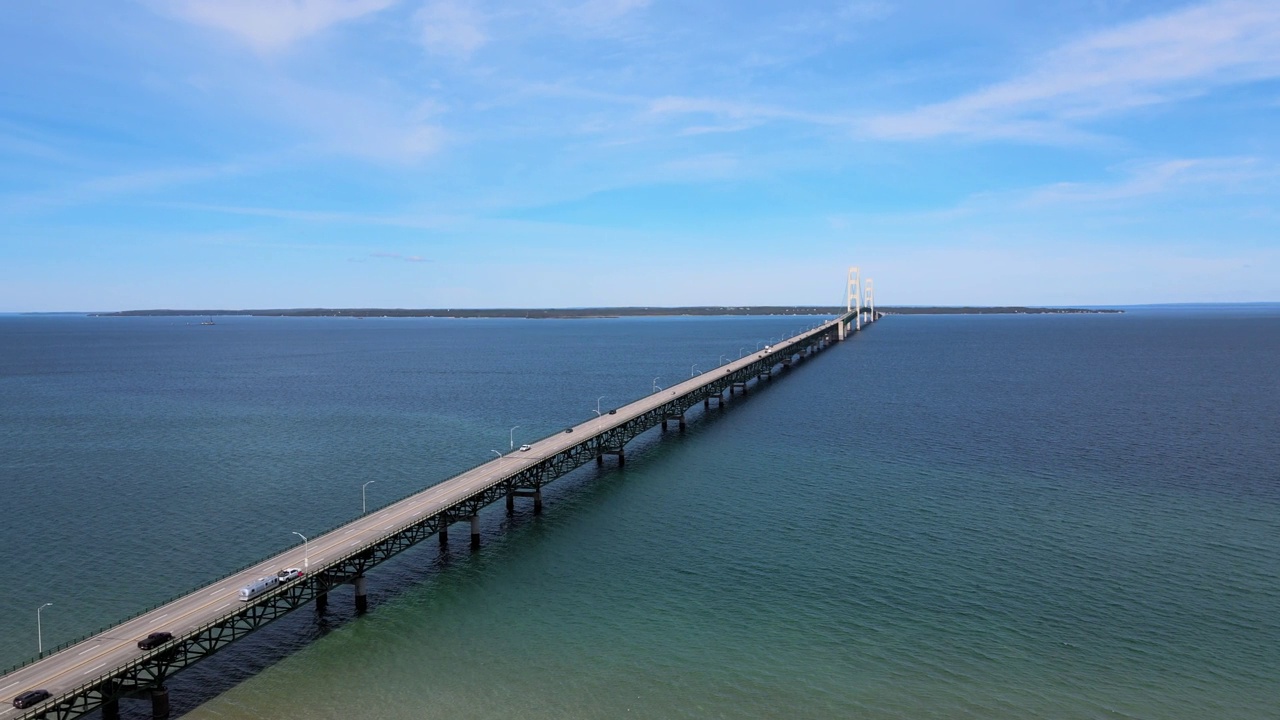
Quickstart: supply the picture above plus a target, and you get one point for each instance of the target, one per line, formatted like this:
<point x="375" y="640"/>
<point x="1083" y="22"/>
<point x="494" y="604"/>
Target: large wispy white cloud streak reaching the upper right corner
<point x="1155" y="61"/>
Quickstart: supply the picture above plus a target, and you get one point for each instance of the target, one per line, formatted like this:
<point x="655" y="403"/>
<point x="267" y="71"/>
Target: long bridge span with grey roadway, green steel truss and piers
<point x="100" y="671"/>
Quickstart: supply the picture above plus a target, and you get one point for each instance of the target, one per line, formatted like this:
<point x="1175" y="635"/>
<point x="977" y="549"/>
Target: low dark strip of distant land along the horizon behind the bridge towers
<point x="597" y="313"/>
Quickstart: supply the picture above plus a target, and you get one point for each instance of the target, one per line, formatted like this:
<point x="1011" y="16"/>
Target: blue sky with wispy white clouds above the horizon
<point x="579" y="153"/>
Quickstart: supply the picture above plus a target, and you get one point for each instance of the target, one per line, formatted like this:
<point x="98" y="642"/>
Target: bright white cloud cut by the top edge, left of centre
<point x="271" y="26"/>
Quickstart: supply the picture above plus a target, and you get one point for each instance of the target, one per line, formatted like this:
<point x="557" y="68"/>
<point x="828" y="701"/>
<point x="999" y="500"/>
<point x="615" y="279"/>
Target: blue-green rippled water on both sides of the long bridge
<point x="975" y="517"/>
